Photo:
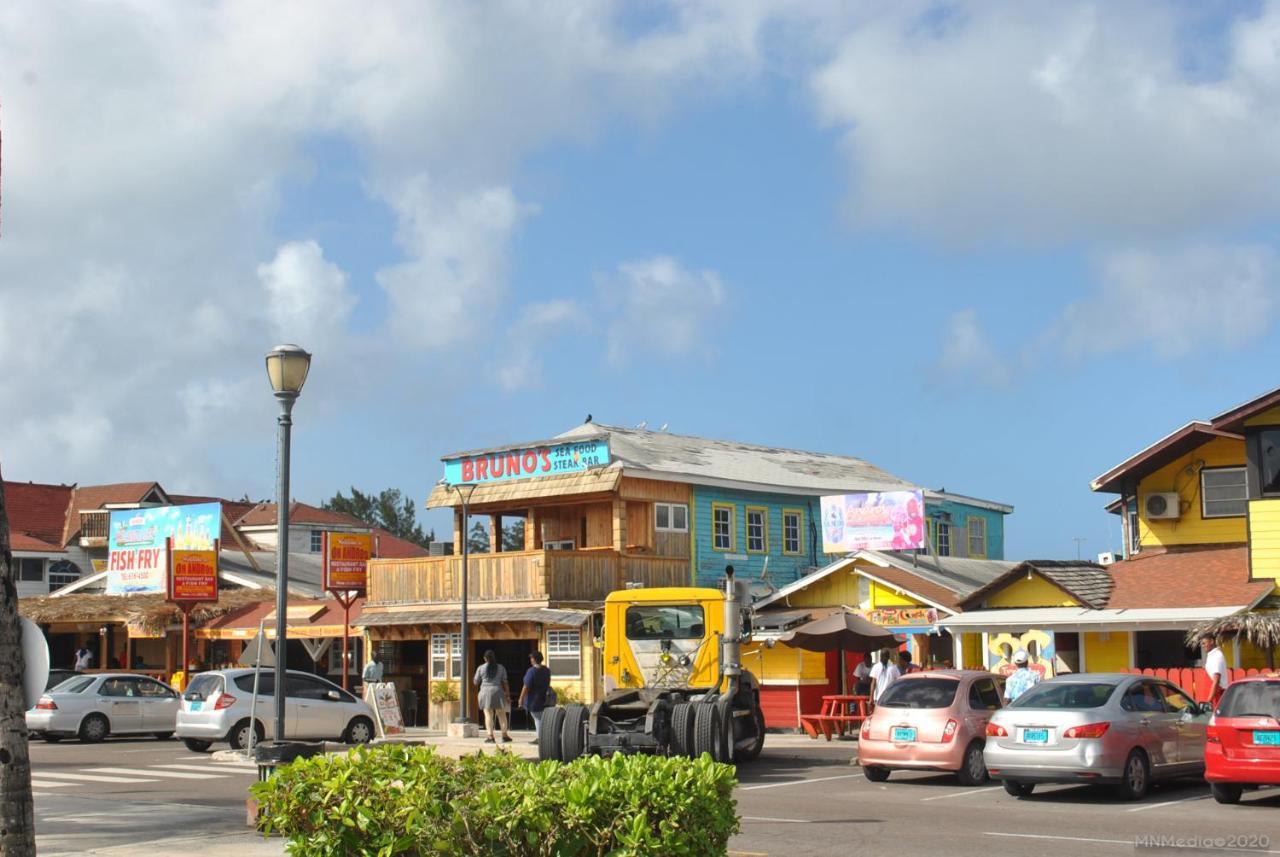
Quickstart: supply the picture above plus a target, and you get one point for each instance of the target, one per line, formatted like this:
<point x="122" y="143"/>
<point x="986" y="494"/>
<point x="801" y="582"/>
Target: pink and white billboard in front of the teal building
<point x="874" y="521"/>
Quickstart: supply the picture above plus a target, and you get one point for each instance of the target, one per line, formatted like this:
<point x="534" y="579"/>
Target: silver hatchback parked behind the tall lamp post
<point x="217" y="708"/>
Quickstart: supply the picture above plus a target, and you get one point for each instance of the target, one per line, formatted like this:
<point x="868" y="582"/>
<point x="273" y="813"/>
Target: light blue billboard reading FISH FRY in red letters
<point x="138" y="561"/>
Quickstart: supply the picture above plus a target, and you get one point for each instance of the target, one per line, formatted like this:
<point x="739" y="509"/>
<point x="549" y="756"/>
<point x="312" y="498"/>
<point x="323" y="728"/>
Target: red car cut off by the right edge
<point x="1244" y="739"/>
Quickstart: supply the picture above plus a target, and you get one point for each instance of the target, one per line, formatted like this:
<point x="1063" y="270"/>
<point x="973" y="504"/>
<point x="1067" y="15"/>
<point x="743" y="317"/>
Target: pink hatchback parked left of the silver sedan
<point x="935" y="722"/>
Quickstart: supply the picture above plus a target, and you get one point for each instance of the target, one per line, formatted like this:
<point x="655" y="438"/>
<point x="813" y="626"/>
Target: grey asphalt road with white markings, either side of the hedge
<point x="801" y="798"/>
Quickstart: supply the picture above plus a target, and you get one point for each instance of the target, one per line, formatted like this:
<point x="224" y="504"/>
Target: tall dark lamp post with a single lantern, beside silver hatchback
<point x="287" y="369"/>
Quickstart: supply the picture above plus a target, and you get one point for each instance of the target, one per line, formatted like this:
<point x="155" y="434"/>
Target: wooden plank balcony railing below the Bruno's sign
<point x="550" y="576"/>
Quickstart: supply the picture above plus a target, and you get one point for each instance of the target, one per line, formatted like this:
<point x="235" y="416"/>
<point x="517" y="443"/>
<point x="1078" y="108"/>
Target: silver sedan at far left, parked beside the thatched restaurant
<point x="106" y="704"/>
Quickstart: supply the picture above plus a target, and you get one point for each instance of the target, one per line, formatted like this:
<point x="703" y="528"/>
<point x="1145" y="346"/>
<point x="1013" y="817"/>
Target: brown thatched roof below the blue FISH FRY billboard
<point x="150" y="612"/>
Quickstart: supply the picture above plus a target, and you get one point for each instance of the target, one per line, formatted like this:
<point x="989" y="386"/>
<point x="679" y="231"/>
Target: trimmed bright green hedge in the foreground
<point x="400" y="800"/>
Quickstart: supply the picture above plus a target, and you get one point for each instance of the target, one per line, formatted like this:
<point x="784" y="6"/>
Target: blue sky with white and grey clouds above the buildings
<point x="985" y="248"/>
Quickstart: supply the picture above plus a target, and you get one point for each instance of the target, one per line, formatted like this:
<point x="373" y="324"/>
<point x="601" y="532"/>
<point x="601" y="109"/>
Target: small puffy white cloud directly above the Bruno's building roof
<point x="662" y="308"/>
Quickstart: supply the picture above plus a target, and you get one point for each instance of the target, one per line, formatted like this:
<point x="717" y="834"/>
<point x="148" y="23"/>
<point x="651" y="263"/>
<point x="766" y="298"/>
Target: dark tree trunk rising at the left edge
<point x="17" y="813"/>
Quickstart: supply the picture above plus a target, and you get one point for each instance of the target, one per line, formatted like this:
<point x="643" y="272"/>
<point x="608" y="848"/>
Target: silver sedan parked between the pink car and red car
<point x="1098" y="728"/>
